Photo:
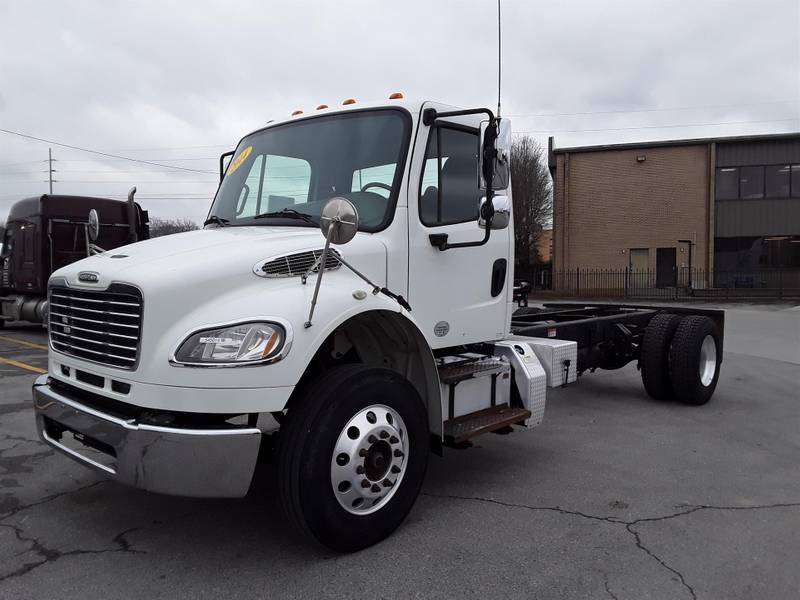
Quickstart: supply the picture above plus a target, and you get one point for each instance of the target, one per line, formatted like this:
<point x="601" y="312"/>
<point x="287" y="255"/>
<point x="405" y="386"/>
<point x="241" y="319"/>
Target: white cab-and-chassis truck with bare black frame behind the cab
<point x="176" y="363"/>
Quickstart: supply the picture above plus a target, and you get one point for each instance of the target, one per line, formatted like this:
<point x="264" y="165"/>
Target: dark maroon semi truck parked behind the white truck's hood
<point x="45" y="233"/>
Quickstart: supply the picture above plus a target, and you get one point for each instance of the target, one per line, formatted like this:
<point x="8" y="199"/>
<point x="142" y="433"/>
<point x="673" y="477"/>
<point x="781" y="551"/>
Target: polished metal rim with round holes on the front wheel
<point x="369" y="459"/>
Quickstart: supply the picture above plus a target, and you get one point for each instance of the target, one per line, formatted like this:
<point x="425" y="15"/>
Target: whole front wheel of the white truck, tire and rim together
<point x="352" y="455"/>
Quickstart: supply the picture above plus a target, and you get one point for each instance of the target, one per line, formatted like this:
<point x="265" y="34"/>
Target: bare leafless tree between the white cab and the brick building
<point x="532" y="190"/>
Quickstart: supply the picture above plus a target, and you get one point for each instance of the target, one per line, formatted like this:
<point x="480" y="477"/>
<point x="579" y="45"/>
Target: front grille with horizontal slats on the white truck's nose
<point x="99" y="326"/>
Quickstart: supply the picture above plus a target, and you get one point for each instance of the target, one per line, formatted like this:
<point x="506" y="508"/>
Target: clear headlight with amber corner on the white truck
<point x="241" y="344"/>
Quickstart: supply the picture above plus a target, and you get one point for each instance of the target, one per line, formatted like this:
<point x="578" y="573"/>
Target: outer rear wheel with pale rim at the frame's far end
<point x="687" y="360"/>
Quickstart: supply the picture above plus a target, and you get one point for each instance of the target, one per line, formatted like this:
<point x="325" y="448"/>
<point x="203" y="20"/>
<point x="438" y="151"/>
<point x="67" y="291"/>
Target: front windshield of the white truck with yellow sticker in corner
<point x="299" y="166"/>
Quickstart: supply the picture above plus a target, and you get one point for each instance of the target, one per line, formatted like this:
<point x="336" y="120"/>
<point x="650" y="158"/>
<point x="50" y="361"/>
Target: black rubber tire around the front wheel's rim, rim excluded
<point x="305" y="450"/>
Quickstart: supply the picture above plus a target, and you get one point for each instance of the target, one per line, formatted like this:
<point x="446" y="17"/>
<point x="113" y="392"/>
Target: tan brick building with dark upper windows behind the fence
<point x="721" y="203"/>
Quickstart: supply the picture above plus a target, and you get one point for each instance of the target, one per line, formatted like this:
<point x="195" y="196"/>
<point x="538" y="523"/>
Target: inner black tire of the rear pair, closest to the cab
<point x="654" y="356"/>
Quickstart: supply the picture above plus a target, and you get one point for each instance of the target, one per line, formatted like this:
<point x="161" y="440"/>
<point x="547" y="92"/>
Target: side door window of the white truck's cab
<point x="449" y="190"/>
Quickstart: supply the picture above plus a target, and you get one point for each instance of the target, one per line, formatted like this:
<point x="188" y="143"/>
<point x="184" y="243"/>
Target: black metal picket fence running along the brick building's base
<point x="683" y="283"/>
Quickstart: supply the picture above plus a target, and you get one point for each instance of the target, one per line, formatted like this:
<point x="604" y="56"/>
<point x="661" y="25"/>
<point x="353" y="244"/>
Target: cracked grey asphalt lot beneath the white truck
<point x="613" y="496"/>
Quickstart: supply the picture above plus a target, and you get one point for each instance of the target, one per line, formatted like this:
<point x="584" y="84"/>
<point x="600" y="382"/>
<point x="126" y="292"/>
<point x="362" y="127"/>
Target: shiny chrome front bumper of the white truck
<point x="179" y="461"/>
